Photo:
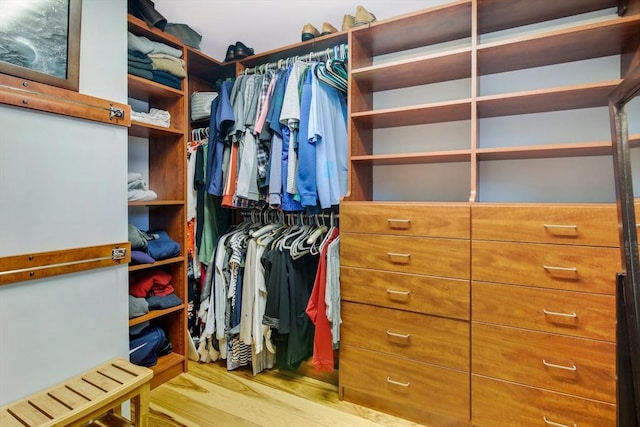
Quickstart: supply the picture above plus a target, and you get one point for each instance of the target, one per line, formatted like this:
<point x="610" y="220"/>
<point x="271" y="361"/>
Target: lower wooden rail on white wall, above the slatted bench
<point x="21" y="268"/>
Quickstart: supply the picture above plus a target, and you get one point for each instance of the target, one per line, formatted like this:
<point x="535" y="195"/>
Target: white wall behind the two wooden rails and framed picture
<point x="63" y="185"/>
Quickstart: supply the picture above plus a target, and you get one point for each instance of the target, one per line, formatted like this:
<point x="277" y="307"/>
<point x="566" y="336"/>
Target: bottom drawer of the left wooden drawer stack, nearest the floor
<point x="424" y="393"/>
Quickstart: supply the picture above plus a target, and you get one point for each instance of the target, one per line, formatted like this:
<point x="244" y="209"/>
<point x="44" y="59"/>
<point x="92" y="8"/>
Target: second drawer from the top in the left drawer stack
<point x="422" y="255"/>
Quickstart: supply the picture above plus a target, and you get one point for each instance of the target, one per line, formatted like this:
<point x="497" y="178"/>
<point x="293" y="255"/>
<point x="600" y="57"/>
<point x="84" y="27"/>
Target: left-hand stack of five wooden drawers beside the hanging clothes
<point x="405" y="309"/>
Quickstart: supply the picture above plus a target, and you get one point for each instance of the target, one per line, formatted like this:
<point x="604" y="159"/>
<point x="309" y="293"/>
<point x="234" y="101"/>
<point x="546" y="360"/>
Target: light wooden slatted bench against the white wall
<point x="93" y="398"/>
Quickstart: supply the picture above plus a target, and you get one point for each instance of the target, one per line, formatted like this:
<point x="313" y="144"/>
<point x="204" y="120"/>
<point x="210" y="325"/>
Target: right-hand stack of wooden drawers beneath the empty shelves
<point x="543" y="327"/>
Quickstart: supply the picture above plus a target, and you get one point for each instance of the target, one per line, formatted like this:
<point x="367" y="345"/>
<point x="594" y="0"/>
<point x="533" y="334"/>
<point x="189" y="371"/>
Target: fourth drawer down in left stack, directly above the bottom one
<point x="431" y="339"/>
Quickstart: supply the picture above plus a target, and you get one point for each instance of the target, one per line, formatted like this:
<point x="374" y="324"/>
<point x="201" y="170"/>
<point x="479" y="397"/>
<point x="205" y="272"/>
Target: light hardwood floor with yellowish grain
<point x="210" y="396"/>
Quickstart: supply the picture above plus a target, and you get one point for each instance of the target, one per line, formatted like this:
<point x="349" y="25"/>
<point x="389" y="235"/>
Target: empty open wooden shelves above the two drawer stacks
<point x="445" y="50"/>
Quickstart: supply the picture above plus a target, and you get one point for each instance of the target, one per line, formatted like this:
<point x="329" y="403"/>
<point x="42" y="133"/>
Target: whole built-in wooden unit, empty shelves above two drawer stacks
<point x="525" y="254"/>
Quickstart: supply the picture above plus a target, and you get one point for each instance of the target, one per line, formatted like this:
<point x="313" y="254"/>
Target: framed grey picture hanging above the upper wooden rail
<point x="40" y="41"/>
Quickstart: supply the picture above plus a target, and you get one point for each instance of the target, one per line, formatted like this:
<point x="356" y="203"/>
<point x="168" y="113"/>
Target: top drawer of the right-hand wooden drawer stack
<point x="583" y="224"/>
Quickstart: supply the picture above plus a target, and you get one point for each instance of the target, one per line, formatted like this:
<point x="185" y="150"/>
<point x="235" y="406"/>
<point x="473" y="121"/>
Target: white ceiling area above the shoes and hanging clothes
<point x="270" y="24"/>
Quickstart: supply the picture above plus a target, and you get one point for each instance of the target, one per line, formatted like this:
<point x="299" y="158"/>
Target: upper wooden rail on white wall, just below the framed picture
<point x="38" y="96"/>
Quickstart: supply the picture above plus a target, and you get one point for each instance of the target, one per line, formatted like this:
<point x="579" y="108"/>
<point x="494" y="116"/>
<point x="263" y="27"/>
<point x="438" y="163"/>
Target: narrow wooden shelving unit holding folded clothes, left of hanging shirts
<point x="166" y="157"/>
